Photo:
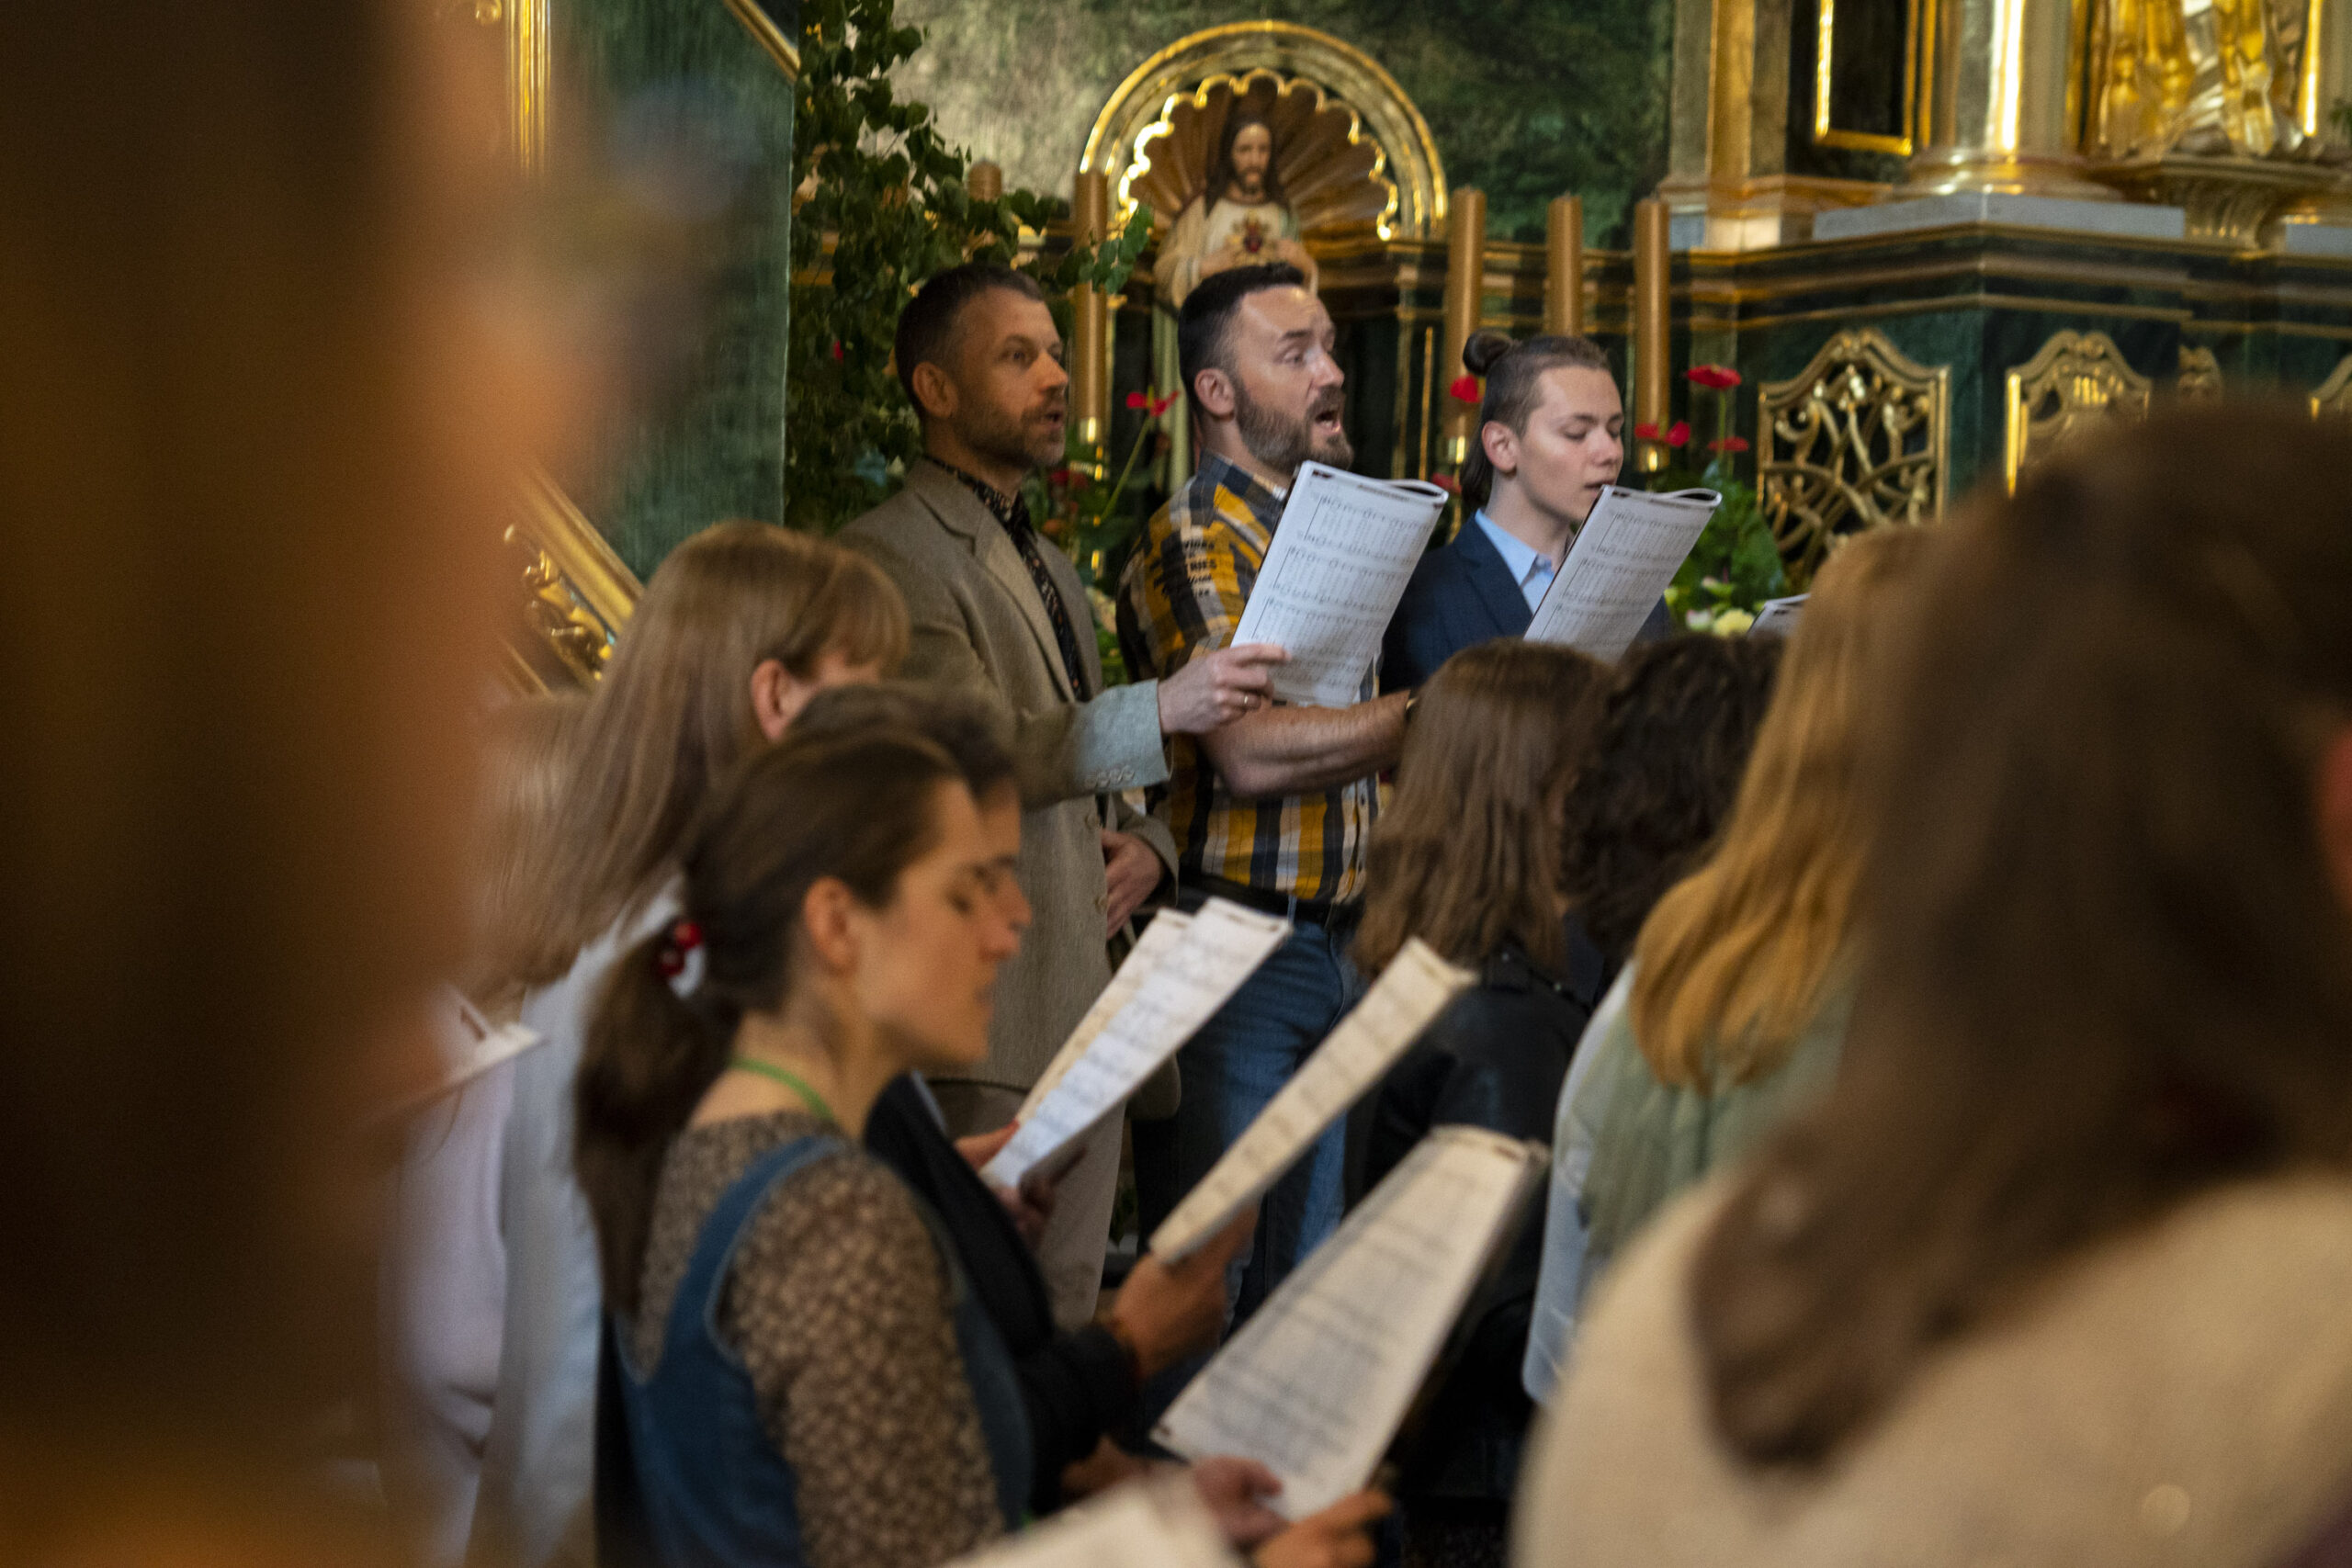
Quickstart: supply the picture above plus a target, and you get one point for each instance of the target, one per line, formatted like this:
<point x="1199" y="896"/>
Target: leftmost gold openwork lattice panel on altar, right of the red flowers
<point x="1855" y="441"/>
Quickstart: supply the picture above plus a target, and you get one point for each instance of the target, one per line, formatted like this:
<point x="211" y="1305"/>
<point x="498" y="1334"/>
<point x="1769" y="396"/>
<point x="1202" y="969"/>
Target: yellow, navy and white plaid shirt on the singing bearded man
<point x="1184" y="596"/>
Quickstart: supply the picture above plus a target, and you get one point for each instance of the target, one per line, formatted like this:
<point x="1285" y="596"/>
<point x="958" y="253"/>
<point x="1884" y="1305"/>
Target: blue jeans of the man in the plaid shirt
<point x="1238" y="1061"/>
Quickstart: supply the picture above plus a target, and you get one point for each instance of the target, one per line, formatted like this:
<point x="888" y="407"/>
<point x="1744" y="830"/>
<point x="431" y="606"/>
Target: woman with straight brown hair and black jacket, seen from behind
<point x="1469" y="862"/>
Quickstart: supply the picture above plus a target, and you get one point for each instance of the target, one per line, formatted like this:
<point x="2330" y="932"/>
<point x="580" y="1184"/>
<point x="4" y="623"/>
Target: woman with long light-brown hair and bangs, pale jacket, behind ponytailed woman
<point x="735" y="634"/>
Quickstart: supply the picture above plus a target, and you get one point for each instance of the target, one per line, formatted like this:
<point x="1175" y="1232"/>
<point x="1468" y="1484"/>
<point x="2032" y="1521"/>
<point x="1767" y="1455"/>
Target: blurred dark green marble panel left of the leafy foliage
<point x="697" y="427"/>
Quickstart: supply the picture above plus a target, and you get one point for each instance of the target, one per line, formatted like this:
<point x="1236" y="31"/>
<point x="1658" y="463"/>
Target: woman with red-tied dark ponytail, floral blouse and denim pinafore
<point x="801" y="1372"/>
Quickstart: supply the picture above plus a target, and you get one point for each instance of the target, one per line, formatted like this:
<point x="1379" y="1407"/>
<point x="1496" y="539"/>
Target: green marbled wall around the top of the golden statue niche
<point x="1528" y="100"/>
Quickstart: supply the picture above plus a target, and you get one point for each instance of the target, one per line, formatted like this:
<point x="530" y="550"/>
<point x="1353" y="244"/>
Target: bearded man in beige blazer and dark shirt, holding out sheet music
<point x="998" y="610"/>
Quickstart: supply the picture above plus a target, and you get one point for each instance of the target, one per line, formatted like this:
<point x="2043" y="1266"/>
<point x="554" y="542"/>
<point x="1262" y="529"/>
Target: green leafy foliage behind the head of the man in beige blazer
<point x="886" y="206"/>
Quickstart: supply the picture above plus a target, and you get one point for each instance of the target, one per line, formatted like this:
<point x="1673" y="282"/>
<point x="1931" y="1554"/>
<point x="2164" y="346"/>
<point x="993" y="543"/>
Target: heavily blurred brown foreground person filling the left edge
<point x="262" y="398"/>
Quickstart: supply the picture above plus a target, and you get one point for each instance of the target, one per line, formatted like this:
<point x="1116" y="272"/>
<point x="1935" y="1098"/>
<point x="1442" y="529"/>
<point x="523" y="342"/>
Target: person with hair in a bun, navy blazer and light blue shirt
<point x="1551" y="434"/>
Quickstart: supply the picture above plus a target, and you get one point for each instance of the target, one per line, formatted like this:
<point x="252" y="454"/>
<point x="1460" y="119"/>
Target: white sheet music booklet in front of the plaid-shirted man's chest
<point x="1332" y="579"/>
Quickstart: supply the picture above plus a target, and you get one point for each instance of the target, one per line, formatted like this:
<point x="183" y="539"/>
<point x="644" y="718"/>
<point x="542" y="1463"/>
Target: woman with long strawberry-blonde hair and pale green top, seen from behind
<point x="1735" y="1003"/>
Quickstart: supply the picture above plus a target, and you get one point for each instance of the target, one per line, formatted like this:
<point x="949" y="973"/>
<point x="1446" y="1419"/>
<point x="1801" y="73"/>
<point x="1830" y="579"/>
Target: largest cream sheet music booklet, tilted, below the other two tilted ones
<point x="1321" y="1379"/>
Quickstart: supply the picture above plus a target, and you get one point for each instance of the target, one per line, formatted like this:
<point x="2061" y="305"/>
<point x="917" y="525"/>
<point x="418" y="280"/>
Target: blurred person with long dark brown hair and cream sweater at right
<point x="2059" y="1271"/>
